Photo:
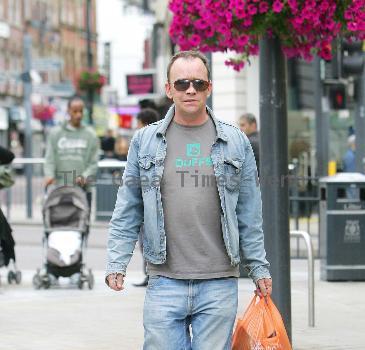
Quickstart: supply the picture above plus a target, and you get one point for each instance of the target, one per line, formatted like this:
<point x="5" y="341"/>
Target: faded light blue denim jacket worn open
<point x="139" y="199"/>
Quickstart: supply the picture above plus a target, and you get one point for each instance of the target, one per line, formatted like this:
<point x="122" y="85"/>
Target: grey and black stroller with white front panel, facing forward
<point x="66" y="227"/>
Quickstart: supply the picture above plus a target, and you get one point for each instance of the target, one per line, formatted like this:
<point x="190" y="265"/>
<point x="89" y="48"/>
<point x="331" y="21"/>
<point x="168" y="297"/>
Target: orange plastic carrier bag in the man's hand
<point x="261" y="328"/>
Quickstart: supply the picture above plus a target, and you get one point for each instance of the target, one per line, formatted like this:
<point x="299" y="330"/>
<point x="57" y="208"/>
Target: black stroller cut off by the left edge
<point x="7" y="253"/>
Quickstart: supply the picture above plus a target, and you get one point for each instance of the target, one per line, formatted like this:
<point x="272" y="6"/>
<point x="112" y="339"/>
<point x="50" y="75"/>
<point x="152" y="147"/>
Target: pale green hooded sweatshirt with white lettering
<point x="71" y="152"/>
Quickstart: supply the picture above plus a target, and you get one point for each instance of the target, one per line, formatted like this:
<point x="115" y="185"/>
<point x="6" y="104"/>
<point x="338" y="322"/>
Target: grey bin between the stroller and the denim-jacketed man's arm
<point x="109" y="177"/>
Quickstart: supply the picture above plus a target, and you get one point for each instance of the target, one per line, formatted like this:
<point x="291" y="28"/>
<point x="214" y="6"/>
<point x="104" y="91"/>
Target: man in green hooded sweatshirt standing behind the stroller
<point x="72" y="151"/>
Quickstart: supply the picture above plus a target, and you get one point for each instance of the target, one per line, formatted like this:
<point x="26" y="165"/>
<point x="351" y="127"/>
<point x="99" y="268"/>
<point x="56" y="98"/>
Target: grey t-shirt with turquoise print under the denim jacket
<point x="190" y="200"/>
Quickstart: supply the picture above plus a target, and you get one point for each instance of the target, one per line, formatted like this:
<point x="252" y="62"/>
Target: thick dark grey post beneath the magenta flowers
<point x="274" y="170"/>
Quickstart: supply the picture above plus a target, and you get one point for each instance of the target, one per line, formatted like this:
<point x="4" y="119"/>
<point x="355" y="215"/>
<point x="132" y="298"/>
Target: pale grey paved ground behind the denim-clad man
<point x="67" y="318"/>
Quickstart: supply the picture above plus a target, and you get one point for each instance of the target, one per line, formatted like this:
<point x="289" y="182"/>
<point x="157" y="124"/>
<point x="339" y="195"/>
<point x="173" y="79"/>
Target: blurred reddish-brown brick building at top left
<point x="57" y="29"/>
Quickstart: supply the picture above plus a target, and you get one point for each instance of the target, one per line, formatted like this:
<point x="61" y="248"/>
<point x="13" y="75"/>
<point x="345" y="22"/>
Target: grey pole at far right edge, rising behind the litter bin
<point x="360" y="123"/>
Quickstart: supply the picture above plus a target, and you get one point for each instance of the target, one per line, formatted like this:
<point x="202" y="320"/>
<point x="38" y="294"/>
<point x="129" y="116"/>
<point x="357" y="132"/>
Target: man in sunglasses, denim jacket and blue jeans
<point x="201" y="205"/>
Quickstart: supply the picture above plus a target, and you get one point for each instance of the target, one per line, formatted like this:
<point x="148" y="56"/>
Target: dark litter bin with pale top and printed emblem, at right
<point x="342" y="227"/>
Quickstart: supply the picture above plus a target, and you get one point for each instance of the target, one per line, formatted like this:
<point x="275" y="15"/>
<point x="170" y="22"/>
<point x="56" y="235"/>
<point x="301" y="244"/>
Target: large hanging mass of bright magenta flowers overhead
<point x="304" y="27"/>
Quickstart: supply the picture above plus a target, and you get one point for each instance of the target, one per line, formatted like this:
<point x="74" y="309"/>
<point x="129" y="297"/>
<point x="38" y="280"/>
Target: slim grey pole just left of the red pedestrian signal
<point x="321" y="122"/>
